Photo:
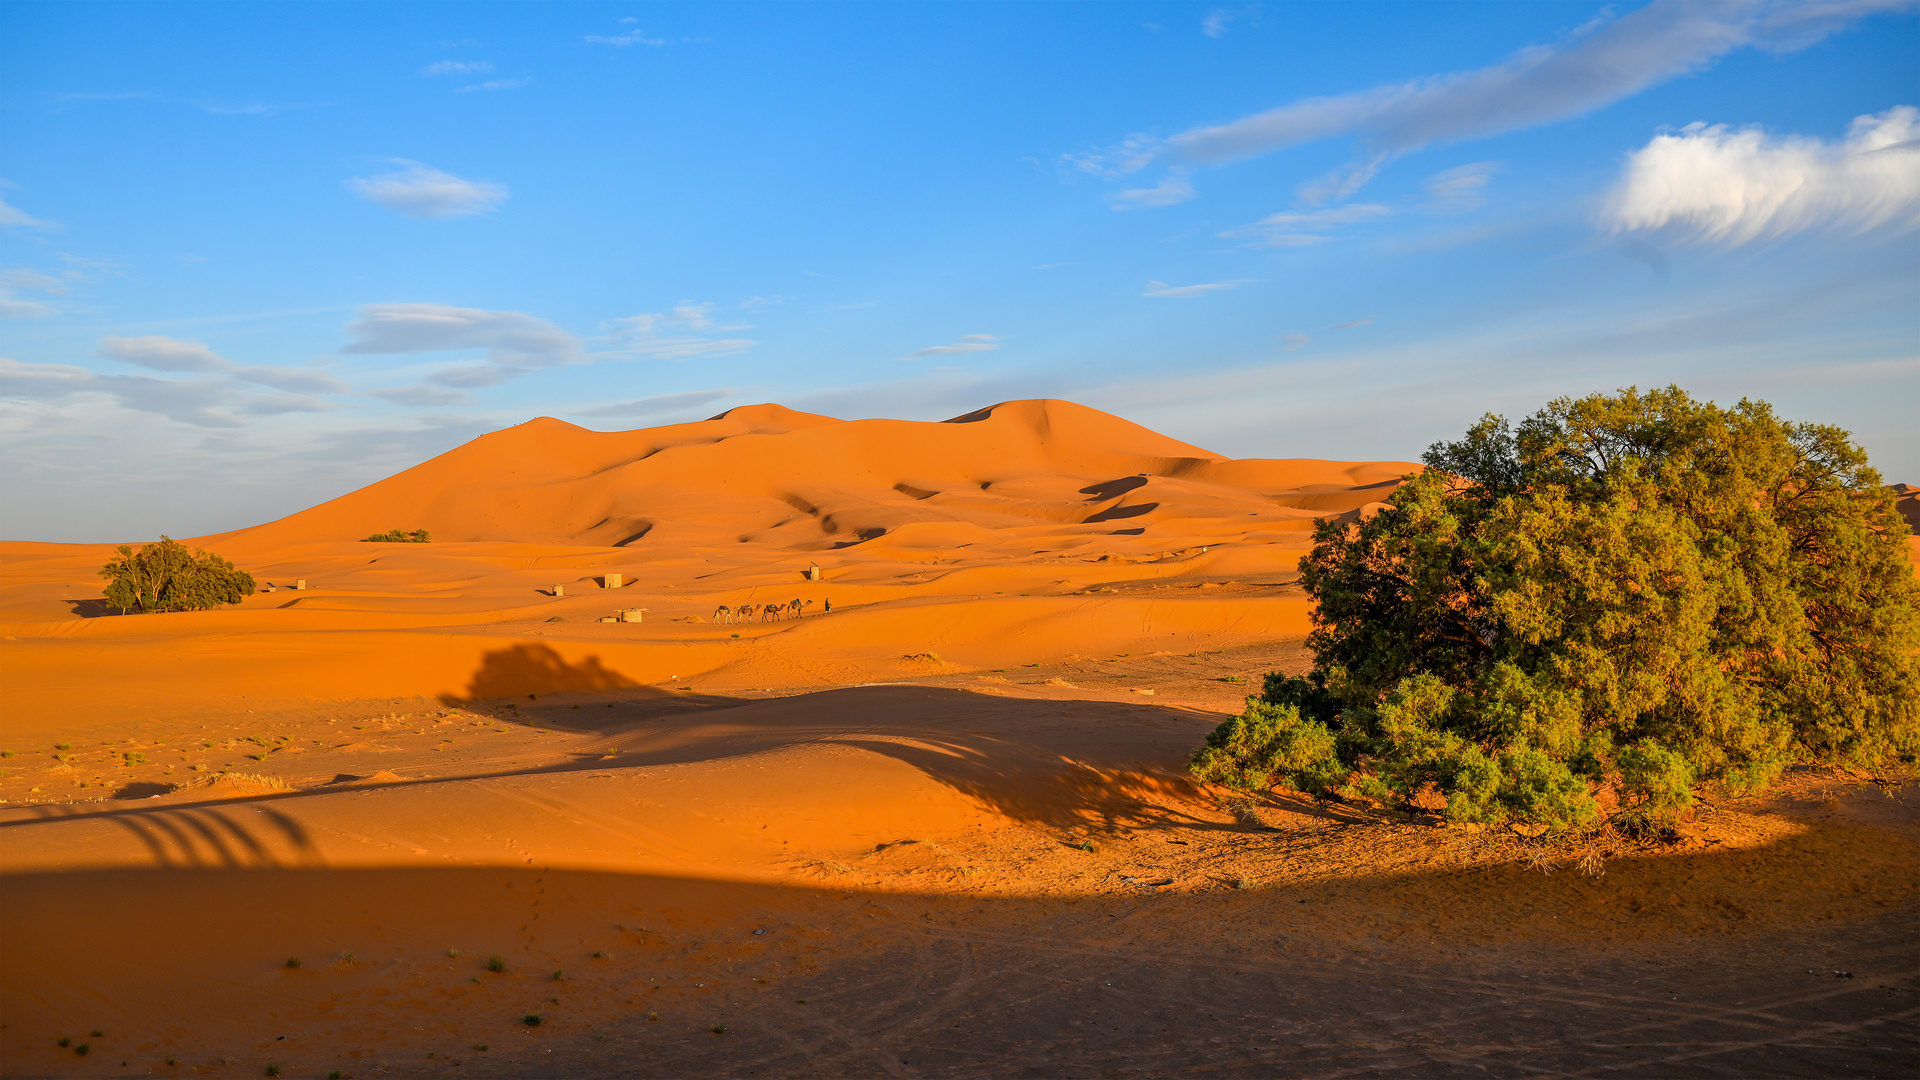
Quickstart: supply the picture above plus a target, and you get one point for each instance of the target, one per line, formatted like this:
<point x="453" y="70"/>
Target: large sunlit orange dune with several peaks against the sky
<point x="1022" y="472"/>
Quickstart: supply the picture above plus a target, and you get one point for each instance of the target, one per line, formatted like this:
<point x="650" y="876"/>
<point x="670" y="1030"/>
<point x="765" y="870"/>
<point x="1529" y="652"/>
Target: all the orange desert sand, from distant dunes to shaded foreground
<point x="926" y="820"/>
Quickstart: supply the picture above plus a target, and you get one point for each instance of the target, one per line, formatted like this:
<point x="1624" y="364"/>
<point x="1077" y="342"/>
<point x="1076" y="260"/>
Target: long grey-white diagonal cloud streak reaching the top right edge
<point x="1600" y="64"/>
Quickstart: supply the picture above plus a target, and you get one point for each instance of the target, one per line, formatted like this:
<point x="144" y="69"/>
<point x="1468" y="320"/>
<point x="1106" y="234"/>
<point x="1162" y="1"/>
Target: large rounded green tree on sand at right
<point x="1633" y="591"/>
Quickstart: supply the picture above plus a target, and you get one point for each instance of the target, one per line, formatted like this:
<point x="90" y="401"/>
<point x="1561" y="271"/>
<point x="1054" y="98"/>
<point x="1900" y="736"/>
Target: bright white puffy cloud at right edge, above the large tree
<point x="1721" y="187"/>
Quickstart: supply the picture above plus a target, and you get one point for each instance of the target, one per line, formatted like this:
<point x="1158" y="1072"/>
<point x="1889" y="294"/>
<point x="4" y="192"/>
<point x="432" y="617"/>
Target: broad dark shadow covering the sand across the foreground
<point x="1422" y="973"/>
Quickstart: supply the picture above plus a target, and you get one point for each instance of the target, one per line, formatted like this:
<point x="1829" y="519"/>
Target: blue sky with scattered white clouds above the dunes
<point x="258" y="255"/>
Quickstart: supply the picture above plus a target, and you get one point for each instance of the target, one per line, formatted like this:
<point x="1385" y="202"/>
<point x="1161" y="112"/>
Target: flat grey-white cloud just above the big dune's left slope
<point x="516" y="343"/>
